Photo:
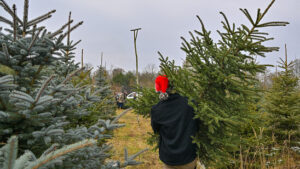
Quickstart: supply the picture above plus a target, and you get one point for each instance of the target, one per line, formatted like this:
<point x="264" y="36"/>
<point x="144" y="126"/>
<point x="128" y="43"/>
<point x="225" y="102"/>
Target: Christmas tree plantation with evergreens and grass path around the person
<point x="57" y="113"/>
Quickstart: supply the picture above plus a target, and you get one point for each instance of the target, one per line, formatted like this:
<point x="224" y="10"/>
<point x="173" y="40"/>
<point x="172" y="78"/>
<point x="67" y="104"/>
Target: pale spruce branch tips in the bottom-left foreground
<point x="53" y="157"/>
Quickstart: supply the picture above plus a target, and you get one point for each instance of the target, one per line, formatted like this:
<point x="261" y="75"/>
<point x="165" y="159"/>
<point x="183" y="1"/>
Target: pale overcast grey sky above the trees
<point x="107" y="25"/>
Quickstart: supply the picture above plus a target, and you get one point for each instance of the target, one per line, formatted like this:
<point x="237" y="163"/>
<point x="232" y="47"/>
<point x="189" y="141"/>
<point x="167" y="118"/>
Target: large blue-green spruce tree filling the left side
<point x="40" y="99"/>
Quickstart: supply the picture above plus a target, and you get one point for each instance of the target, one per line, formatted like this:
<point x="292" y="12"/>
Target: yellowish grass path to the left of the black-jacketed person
<point x="134" y="137"/>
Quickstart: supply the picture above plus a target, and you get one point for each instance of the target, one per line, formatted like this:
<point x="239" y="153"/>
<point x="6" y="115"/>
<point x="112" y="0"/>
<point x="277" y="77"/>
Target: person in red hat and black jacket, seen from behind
<point x="172" y="119"/>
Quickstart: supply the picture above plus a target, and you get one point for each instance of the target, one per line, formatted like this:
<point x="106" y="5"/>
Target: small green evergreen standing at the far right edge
<point x="282" y="105"/>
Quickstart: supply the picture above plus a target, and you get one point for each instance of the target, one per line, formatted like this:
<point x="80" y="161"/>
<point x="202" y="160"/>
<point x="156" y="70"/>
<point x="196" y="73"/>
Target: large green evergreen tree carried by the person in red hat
<point x="219" y="78"/>
